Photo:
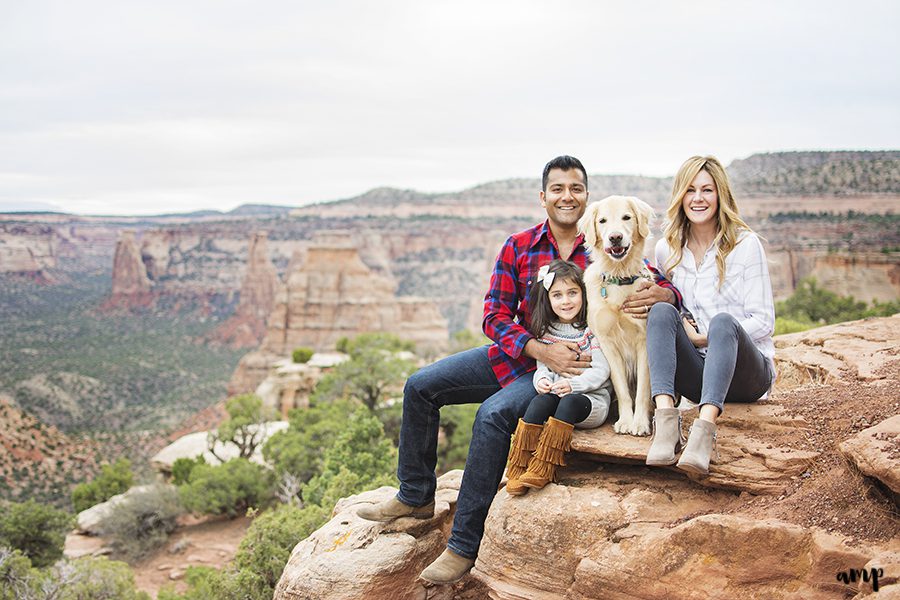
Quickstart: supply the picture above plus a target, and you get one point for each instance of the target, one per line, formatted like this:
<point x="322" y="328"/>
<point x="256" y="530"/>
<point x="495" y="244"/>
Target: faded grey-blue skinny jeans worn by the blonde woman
<point x="733" y="369"/>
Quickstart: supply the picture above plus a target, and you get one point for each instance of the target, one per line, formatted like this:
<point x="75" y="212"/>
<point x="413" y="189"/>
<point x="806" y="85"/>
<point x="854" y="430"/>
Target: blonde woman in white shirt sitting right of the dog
<point x="724" y="350"/>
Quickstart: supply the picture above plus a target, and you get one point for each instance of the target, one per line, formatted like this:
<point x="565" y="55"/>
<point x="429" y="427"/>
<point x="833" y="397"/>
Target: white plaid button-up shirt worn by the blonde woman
<point x="746" y="294"/>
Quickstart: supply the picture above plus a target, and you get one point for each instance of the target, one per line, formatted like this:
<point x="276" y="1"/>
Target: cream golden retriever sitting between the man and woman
<point x="615" y="231"/>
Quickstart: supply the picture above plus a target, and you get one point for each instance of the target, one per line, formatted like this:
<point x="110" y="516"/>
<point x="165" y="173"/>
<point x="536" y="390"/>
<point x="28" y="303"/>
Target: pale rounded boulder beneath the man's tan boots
<point x="350" y="557"/>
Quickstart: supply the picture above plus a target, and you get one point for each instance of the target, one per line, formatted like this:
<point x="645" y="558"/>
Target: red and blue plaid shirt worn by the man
<point x="506" y="308"/>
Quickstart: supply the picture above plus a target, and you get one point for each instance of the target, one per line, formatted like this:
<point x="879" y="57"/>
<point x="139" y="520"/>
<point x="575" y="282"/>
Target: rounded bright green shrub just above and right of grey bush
<point x="228" y="489"/>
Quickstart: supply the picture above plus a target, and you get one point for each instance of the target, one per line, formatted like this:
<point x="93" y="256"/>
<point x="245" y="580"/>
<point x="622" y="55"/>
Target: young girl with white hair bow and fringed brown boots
<point x="558" y="314"/>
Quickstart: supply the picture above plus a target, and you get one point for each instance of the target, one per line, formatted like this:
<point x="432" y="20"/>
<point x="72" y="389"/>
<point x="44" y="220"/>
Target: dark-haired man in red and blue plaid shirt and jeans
<point x="497" y="376"/>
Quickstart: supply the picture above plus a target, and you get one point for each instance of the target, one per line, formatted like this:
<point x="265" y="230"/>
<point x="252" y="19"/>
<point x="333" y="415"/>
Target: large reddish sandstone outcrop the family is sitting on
<point x="778" y="517"/>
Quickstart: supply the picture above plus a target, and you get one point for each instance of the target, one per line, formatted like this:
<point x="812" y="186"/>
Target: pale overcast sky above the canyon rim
<point x="141" y="107"/>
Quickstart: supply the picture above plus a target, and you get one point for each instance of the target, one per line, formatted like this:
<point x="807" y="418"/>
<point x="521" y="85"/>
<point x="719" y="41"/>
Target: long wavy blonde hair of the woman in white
<point x="729" y="224"/>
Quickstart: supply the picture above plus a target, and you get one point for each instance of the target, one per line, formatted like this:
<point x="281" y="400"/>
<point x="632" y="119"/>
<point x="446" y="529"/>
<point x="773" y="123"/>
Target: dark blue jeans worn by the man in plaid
<point x="462" y="378"/>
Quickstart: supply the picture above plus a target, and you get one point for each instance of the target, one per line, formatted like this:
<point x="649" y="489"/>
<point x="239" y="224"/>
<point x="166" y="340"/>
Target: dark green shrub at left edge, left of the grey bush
<point x="37" y="530"/>
